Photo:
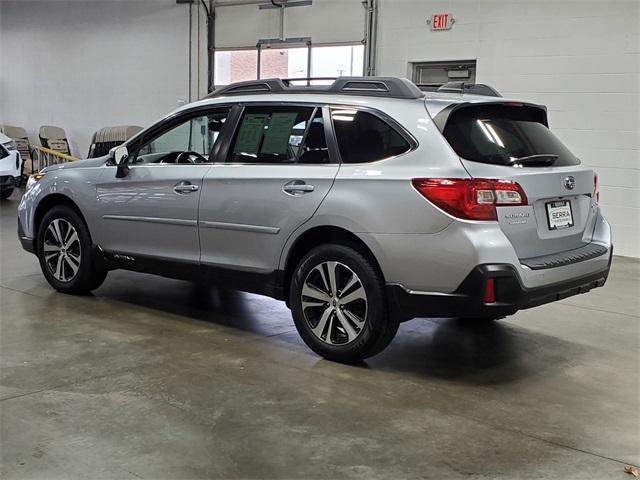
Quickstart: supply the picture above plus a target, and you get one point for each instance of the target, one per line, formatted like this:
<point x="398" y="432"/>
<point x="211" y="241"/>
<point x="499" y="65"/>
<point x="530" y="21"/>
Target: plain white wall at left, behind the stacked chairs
<point x="84" y="65"/>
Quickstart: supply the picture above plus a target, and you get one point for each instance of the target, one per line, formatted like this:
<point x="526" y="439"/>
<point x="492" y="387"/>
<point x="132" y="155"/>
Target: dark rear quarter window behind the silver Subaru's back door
<point x="364" y="137"/>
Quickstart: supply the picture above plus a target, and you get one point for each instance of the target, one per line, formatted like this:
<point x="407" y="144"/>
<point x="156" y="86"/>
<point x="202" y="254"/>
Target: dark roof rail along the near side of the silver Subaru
<point x="390" y="87"/>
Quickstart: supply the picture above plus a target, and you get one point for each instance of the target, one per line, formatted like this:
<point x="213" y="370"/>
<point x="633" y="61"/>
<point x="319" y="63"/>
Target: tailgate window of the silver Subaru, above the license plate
<point x="500" y="135"/>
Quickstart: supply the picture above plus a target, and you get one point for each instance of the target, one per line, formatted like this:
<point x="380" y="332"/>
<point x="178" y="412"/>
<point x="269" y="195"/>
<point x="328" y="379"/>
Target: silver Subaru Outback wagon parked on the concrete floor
<point x="361" y="204"/>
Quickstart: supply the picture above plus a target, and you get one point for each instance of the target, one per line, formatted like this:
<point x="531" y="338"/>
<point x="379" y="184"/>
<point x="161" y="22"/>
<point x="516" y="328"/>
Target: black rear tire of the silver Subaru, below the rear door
<point x="378" y="328"/>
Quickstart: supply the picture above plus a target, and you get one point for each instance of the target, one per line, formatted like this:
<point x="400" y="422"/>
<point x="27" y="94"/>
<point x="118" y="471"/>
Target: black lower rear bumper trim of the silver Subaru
<point x="468" y="299"/>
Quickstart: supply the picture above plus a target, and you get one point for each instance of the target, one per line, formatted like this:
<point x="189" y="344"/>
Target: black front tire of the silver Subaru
<point x="87" y="277"/>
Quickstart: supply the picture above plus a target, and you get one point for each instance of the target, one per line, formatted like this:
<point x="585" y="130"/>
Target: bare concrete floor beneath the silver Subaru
<point x="155" y="378"/>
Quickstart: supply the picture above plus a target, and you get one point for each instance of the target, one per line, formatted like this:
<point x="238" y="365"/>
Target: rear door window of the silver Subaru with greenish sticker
<point x="280" y="135"/>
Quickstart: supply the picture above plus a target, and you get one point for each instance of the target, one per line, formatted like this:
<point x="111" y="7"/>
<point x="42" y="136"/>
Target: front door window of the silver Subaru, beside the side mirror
<point x="189" y="142"/>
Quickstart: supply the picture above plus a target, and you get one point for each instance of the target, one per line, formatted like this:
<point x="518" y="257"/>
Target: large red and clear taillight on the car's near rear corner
<point x="470" y="198"/>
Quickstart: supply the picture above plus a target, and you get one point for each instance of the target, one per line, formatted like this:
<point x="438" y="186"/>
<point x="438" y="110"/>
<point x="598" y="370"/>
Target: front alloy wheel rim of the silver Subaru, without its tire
<point x="62" y="250"/>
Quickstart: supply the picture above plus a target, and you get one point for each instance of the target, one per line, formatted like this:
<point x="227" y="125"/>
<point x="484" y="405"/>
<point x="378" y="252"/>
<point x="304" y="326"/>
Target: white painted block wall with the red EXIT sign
<point x="580" y="58"/>
